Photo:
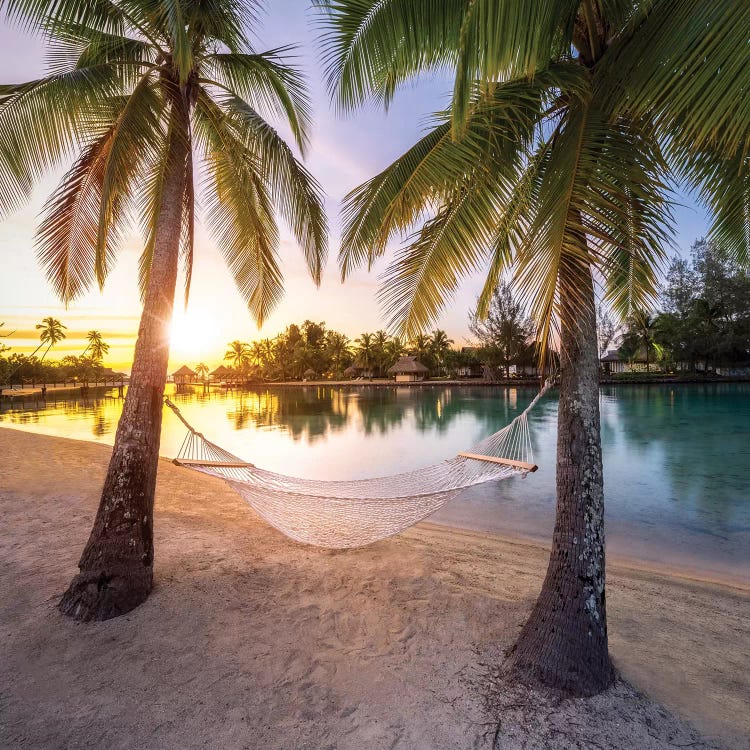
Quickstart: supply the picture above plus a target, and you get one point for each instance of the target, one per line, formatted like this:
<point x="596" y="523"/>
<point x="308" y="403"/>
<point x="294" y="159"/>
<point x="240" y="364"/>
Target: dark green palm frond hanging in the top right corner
<point x="685" y="64"/>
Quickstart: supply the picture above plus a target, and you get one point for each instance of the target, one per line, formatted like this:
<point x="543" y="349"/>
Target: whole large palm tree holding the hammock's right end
<point x="567" y="123"/>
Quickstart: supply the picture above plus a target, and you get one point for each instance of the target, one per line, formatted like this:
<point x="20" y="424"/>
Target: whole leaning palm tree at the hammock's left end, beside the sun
<point x="138" y="90"/>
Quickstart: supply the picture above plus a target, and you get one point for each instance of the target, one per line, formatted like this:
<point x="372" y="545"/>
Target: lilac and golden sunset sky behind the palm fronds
<point x="344" y="152"/>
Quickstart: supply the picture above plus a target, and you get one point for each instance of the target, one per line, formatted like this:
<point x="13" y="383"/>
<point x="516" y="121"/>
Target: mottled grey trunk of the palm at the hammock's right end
<point x="564" y="642"/>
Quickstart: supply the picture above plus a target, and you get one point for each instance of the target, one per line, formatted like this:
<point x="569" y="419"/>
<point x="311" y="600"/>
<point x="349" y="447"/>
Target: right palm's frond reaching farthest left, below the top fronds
<point x="497" y="137"/>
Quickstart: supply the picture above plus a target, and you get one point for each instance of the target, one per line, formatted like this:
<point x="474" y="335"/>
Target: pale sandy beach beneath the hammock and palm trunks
<point x="252" y="641"/>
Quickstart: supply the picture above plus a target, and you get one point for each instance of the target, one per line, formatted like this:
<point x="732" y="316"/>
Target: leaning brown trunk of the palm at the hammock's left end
<point x="117" y="563"/>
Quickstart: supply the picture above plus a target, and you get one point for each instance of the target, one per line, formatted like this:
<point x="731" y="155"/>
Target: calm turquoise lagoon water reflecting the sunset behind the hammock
<point x="677" y="458"/>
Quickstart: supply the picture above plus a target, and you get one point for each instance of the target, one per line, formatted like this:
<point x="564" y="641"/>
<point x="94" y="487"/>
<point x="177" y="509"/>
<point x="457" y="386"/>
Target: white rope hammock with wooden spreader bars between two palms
<point x="353" y="513"/>
